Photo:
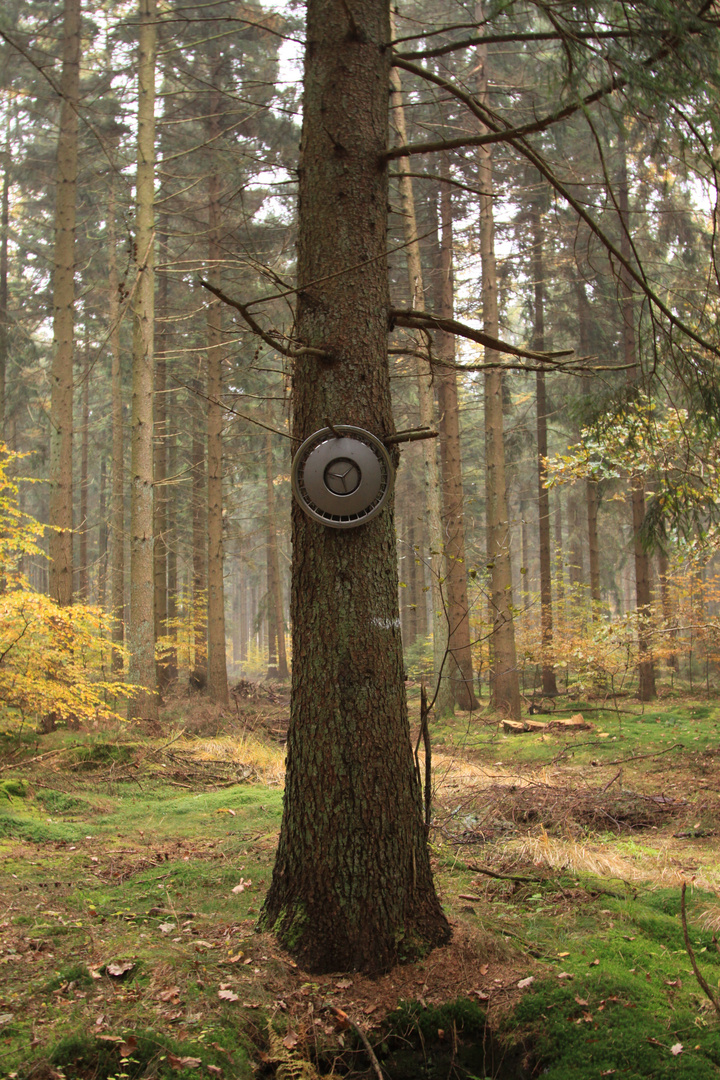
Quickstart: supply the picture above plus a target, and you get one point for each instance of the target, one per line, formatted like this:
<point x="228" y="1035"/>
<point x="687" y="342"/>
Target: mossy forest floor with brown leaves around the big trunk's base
<point x="135" y="865"/>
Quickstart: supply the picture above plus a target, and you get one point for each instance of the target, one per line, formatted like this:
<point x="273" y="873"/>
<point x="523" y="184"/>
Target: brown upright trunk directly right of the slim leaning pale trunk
<point x="454" y="528"/>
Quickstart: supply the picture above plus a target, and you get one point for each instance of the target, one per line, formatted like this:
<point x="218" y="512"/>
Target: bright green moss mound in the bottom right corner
<point x="622" y="1000"/>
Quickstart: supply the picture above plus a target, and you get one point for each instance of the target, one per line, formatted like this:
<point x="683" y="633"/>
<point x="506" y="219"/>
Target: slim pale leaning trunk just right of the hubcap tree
<point x="444" y="692"/>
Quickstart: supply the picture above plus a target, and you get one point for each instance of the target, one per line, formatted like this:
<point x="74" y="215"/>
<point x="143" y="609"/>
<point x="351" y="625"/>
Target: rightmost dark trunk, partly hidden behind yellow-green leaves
<point x="643" y="573"/>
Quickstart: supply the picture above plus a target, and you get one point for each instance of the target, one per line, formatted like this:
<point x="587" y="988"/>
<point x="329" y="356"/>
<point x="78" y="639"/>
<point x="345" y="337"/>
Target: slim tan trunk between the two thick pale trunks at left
<point x="118" y="489"/>
